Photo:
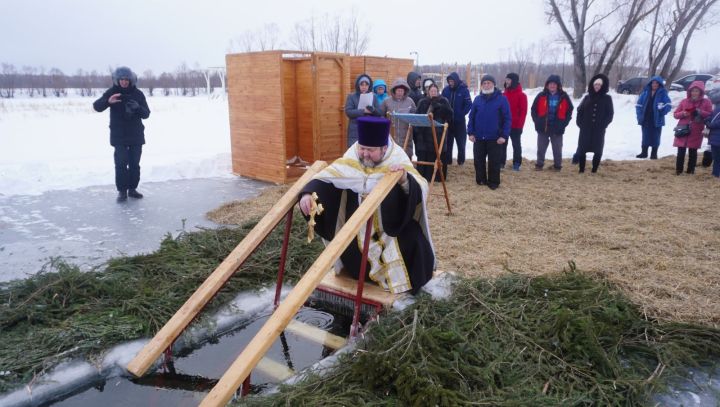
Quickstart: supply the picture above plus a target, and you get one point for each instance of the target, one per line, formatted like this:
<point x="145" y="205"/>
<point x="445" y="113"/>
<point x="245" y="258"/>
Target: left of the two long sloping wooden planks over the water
<point x="182" y="318"/>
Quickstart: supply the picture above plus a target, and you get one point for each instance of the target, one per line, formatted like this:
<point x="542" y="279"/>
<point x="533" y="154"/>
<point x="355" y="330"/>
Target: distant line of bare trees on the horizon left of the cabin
<point x="39" y="82"/>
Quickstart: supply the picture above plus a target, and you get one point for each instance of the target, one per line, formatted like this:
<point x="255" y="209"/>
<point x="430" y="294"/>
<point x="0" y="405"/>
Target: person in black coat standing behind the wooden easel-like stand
<point x="422" y="136"/>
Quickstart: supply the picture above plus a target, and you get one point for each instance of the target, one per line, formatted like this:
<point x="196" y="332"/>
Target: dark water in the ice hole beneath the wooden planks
<point x="197" y="370"/>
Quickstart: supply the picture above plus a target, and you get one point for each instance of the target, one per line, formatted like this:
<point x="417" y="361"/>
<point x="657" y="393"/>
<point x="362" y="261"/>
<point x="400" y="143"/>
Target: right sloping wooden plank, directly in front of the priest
<point x="259" y="345"/>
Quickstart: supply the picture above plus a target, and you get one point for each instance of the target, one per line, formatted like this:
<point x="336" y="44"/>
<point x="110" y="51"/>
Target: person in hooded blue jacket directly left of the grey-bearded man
<point x="459" y="96"/>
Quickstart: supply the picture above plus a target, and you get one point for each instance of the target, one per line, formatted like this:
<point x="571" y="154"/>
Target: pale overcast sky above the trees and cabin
<point x="161" y="34"/>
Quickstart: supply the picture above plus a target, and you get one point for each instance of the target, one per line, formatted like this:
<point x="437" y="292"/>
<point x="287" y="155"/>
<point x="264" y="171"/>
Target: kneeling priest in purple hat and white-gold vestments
<point x="401" y="256"/>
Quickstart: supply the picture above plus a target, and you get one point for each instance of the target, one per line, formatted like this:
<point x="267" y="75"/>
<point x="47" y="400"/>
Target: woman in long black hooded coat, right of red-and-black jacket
<point x="594" y="115"/>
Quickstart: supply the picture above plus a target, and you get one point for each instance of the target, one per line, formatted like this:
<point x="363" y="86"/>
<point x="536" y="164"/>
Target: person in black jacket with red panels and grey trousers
<point x="551" y="112"/>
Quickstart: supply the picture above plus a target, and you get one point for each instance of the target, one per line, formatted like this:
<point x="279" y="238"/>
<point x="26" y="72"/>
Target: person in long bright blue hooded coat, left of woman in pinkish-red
<point x="652" y="106"/>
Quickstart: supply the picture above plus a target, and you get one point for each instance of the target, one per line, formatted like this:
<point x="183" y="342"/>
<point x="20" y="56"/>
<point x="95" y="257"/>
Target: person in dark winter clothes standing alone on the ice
<point x="128" y="108"/>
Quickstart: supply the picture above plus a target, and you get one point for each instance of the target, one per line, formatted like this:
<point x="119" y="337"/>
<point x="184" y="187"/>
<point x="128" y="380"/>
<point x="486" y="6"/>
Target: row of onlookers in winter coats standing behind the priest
<point x="497" y="118"/>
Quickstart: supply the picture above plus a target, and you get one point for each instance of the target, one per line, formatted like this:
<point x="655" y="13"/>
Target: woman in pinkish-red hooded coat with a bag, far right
<point x="692" y="111"/>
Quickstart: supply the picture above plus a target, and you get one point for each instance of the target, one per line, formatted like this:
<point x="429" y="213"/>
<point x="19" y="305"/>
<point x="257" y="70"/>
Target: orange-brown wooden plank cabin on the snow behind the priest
<point x="287" y="108"/>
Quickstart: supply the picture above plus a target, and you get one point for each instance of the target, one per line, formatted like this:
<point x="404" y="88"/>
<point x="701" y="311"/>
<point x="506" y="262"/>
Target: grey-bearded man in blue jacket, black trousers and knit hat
<point x="489" y="128"/>
